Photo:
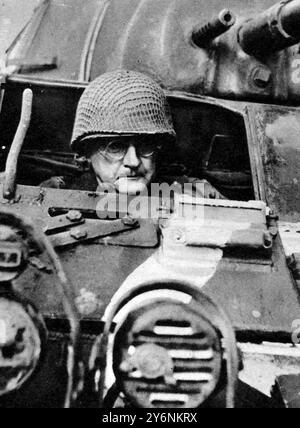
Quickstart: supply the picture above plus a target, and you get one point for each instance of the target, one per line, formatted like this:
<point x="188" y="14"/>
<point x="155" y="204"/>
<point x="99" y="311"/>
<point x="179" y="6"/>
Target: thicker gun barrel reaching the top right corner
<point x="274" y="30"/>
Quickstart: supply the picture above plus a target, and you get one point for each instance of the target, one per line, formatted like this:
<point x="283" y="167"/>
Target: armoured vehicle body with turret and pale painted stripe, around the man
<point x="235" y="112"/>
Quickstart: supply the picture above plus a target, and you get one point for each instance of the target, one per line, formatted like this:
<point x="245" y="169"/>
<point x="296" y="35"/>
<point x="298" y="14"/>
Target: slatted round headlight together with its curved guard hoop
<point x="172" y="347"/>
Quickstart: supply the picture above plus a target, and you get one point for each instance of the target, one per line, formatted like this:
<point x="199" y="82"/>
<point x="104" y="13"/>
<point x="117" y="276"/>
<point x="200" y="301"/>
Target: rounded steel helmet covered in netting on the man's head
<point x="122" y="103"/>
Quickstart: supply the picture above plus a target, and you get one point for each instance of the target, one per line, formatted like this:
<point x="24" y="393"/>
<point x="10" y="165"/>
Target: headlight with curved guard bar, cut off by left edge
<point x="23" y="332"/>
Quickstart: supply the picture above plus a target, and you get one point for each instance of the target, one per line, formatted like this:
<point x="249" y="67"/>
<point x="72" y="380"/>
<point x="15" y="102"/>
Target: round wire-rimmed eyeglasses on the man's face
<point x="117" y="149"/>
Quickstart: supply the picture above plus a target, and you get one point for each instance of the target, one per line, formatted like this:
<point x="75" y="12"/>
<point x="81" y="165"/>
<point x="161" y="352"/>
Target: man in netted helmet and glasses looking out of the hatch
<point x="123" y="122"/>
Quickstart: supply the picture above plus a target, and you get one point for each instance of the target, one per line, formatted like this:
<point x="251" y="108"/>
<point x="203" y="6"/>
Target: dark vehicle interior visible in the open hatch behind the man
<point x="211" y="142"/>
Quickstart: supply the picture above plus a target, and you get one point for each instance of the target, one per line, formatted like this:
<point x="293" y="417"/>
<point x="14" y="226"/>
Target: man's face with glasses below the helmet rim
<point x="127" y="163"/>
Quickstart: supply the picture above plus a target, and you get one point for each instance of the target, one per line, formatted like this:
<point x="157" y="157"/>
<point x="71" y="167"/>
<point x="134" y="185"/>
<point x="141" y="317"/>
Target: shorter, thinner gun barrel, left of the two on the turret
<point x="204" y="35"/>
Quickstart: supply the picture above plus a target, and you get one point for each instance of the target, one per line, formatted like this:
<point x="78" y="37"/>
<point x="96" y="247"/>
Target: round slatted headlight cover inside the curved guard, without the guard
<point x="167" y="355"/>
